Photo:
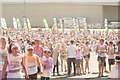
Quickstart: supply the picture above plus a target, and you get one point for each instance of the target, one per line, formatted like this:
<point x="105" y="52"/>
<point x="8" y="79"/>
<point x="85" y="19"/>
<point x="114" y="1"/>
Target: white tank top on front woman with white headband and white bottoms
<point x="14" y="62"/>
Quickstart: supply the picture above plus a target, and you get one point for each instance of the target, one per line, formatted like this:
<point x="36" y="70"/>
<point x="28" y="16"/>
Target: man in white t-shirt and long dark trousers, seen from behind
<point x="71" y="55"/>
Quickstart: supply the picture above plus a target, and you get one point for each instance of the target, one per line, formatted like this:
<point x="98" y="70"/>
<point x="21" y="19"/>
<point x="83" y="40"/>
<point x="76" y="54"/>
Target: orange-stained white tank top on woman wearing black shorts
<point x="32" y="64"/>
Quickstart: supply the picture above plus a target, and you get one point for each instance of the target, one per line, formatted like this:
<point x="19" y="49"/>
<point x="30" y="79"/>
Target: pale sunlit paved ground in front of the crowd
<point x="92" y="76"/>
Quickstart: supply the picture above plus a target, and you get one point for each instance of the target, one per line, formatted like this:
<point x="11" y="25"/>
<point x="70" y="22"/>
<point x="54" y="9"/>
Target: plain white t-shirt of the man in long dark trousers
<point x="71" y="51"/>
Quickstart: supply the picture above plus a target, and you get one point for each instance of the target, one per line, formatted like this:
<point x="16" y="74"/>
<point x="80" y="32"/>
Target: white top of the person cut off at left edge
<point x="3" y="54"/>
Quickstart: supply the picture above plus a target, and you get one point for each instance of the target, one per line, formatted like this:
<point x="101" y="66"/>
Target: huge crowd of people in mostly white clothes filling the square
<point x="28" y="53"/>
